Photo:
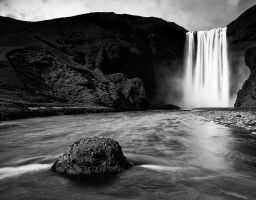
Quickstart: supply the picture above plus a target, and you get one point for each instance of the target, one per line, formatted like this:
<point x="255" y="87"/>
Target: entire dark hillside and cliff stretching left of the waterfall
<point x="104" y="59"/>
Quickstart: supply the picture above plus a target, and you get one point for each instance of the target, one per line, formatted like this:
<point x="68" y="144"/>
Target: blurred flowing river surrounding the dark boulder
<point x="179" y="155"/>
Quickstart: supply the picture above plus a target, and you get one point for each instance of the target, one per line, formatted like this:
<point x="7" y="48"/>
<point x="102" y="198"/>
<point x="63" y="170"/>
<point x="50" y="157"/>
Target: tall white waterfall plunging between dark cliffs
<point x="206" y="80"/>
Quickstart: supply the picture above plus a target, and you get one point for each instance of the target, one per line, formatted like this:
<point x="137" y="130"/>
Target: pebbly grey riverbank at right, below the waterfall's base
<point x="231" y="117"/>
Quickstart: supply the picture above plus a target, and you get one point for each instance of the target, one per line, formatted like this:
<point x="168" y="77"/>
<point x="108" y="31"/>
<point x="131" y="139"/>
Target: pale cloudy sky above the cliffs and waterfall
<point x="191" y="14"/>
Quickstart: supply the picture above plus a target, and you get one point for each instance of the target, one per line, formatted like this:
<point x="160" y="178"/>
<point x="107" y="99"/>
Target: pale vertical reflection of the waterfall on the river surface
<point x="210" y="145"/>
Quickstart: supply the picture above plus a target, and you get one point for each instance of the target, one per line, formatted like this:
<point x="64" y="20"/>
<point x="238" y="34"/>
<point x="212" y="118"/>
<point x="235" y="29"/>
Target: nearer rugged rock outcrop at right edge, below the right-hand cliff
<point x="246" y="97"/>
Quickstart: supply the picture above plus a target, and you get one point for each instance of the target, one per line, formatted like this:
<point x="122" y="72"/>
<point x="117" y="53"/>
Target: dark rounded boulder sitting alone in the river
<point x="92" y="156"/>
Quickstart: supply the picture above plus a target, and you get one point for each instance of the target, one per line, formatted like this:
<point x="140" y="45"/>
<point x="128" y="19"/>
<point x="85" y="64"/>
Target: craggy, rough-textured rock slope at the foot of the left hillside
<point x="51" y="78"/>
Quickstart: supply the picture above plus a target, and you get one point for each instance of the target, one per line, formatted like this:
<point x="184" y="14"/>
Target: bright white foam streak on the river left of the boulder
<point x="7" y="172"/>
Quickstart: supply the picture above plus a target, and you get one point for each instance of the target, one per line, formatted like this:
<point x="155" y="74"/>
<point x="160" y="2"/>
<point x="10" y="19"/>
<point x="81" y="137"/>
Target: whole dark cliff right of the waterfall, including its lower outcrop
<point x="242" y="42"/>
